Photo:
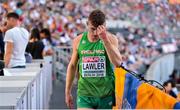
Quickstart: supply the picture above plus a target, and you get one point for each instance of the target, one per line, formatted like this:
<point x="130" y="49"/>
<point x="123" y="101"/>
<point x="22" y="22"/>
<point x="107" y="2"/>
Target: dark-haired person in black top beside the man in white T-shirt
<point x="35" y="46"/>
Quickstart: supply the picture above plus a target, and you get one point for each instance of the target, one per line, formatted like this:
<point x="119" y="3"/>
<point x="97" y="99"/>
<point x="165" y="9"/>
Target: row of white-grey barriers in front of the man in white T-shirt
<point x="27" y="88"/>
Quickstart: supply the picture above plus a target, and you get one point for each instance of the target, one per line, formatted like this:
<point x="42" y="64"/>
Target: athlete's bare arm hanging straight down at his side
<point x="71" y="71"/>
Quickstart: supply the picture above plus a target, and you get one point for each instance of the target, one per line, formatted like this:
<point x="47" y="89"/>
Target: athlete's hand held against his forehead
<point x="102" y="33"/>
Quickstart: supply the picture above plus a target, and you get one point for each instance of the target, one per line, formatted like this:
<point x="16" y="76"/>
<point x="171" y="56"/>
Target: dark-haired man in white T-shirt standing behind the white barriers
<point x="16" y="39"/>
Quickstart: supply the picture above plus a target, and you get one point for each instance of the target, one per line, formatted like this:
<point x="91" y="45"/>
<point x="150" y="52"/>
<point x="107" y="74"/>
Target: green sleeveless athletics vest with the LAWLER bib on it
<point x="96" y="71"/>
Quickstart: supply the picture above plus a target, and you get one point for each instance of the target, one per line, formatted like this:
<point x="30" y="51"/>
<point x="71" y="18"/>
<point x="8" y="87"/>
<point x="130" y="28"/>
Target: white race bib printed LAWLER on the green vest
<point x="94" y="66"/>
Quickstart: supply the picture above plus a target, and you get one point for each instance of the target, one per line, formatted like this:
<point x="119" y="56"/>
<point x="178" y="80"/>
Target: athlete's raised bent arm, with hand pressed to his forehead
<point x="111" y="45"/>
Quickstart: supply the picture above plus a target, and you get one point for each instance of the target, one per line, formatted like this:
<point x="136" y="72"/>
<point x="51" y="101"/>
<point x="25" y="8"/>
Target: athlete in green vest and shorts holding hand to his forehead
<point x="95" y="52"/>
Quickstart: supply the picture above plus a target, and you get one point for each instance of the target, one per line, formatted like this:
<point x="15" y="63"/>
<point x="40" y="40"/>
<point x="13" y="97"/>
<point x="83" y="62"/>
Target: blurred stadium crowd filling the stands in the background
<point x="154" y="25"/>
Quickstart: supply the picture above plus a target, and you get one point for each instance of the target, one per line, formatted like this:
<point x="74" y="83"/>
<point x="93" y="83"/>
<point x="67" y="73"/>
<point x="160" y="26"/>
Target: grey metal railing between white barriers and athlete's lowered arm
<point x="61" y="60"/>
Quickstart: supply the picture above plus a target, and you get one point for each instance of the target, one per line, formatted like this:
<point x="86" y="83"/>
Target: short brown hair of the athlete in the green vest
<point x="97" y="17"/>
